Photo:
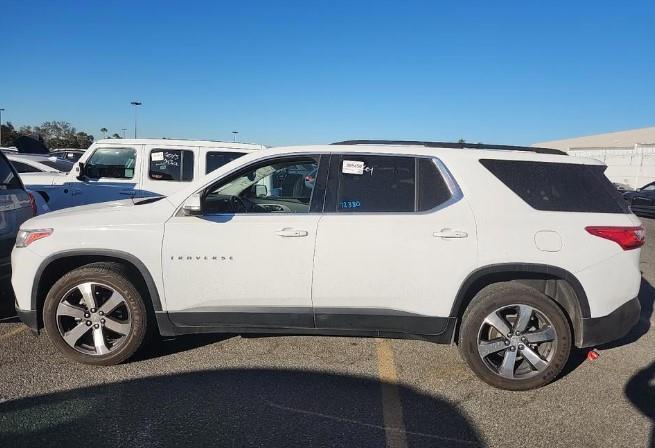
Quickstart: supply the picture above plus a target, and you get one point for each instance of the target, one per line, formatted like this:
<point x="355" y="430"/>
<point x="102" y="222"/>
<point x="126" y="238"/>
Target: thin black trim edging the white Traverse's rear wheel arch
<point x="521" y="268"/>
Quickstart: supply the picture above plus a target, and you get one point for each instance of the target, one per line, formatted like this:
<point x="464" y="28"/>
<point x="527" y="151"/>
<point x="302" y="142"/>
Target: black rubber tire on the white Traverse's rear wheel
<point x="502" y="296"/>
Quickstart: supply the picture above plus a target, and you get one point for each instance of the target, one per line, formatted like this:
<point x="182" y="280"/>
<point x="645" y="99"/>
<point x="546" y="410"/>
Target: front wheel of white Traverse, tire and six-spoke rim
<point x="95" y="315"/>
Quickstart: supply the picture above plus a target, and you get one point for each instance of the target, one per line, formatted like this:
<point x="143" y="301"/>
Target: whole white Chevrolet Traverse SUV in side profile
<point x="515" y="255"/>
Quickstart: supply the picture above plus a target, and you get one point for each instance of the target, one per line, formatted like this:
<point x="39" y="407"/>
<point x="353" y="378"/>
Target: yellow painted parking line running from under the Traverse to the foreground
<point x="392" y="410"/>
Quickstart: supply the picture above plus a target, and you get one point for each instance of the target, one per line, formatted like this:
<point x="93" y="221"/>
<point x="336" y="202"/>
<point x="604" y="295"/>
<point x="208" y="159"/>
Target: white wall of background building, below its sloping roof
<point x="634" y="166"/>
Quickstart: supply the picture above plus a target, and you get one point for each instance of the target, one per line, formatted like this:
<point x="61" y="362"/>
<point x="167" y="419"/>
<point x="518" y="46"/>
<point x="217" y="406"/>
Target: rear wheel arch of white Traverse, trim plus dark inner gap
<point x="557" y="283"/>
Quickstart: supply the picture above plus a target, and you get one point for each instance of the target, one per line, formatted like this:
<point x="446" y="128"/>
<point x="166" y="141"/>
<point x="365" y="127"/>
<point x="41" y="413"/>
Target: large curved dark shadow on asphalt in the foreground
<point x="236" y="408"/>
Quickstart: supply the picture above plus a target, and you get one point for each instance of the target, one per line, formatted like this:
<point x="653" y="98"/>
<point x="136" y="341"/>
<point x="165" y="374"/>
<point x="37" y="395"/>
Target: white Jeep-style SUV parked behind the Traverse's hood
<point x="134" y="168"/>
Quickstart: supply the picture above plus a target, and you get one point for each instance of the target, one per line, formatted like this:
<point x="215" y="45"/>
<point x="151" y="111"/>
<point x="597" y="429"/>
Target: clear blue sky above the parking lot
<point x="293" y="72"/>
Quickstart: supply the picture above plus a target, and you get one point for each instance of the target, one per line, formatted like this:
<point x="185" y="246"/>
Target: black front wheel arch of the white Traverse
<point x="56" y="265"/>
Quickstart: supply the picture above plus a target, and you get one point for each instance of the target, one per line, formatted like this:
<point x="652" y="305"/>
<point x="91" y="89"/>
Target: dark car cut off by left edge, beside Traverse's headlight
<point x="16" y="206"/>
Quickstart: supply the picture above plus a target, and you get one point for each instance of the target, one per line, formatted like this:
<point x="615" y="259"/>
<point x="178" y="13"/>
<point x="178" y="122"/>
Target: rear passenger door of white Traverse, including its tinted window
<point x="394" y="244"/>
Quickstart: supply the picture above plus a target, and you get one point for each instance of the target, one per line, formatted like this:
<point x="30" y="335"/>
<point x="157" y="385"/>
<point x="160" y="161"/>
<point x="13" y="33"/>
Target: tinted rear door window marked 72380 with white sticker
<point x="391" y="184"/>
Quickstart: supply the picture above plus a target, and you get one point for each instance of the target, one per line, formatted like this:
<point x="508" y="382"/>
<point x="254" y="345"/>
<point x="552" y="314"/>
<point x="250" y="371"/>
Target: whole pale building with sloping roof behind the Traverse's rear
<point x="629" y="155"/>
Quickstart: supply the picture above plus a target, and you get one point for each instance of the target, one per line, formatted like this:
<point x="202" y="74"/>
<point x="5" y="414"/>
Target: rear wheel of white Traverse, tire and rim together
<point x="514" y="337"/>
